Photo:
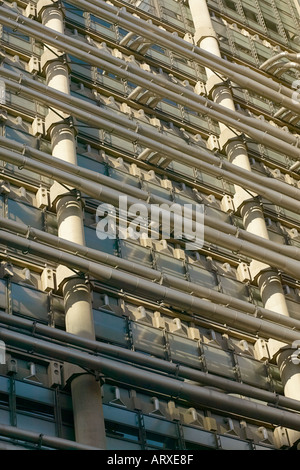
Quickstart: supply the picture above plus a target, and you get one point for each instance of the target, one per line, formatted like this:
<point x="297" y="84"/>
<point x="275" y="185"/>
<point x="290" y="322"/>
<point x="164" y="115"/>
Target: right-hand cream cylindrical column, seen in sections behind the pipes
<point x="267" y="279"/>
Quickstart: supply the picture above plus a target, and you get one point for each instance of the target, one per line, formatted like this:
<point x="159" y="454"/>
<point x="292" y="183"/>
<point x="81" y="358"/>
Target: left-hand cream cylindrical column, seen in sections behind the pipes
<point x="86" y="391"/>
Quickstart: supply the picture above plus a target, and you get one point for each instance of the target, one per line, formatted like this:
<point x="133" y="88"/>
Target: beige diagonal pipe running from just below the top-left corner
<point x="158" y="84"/>
